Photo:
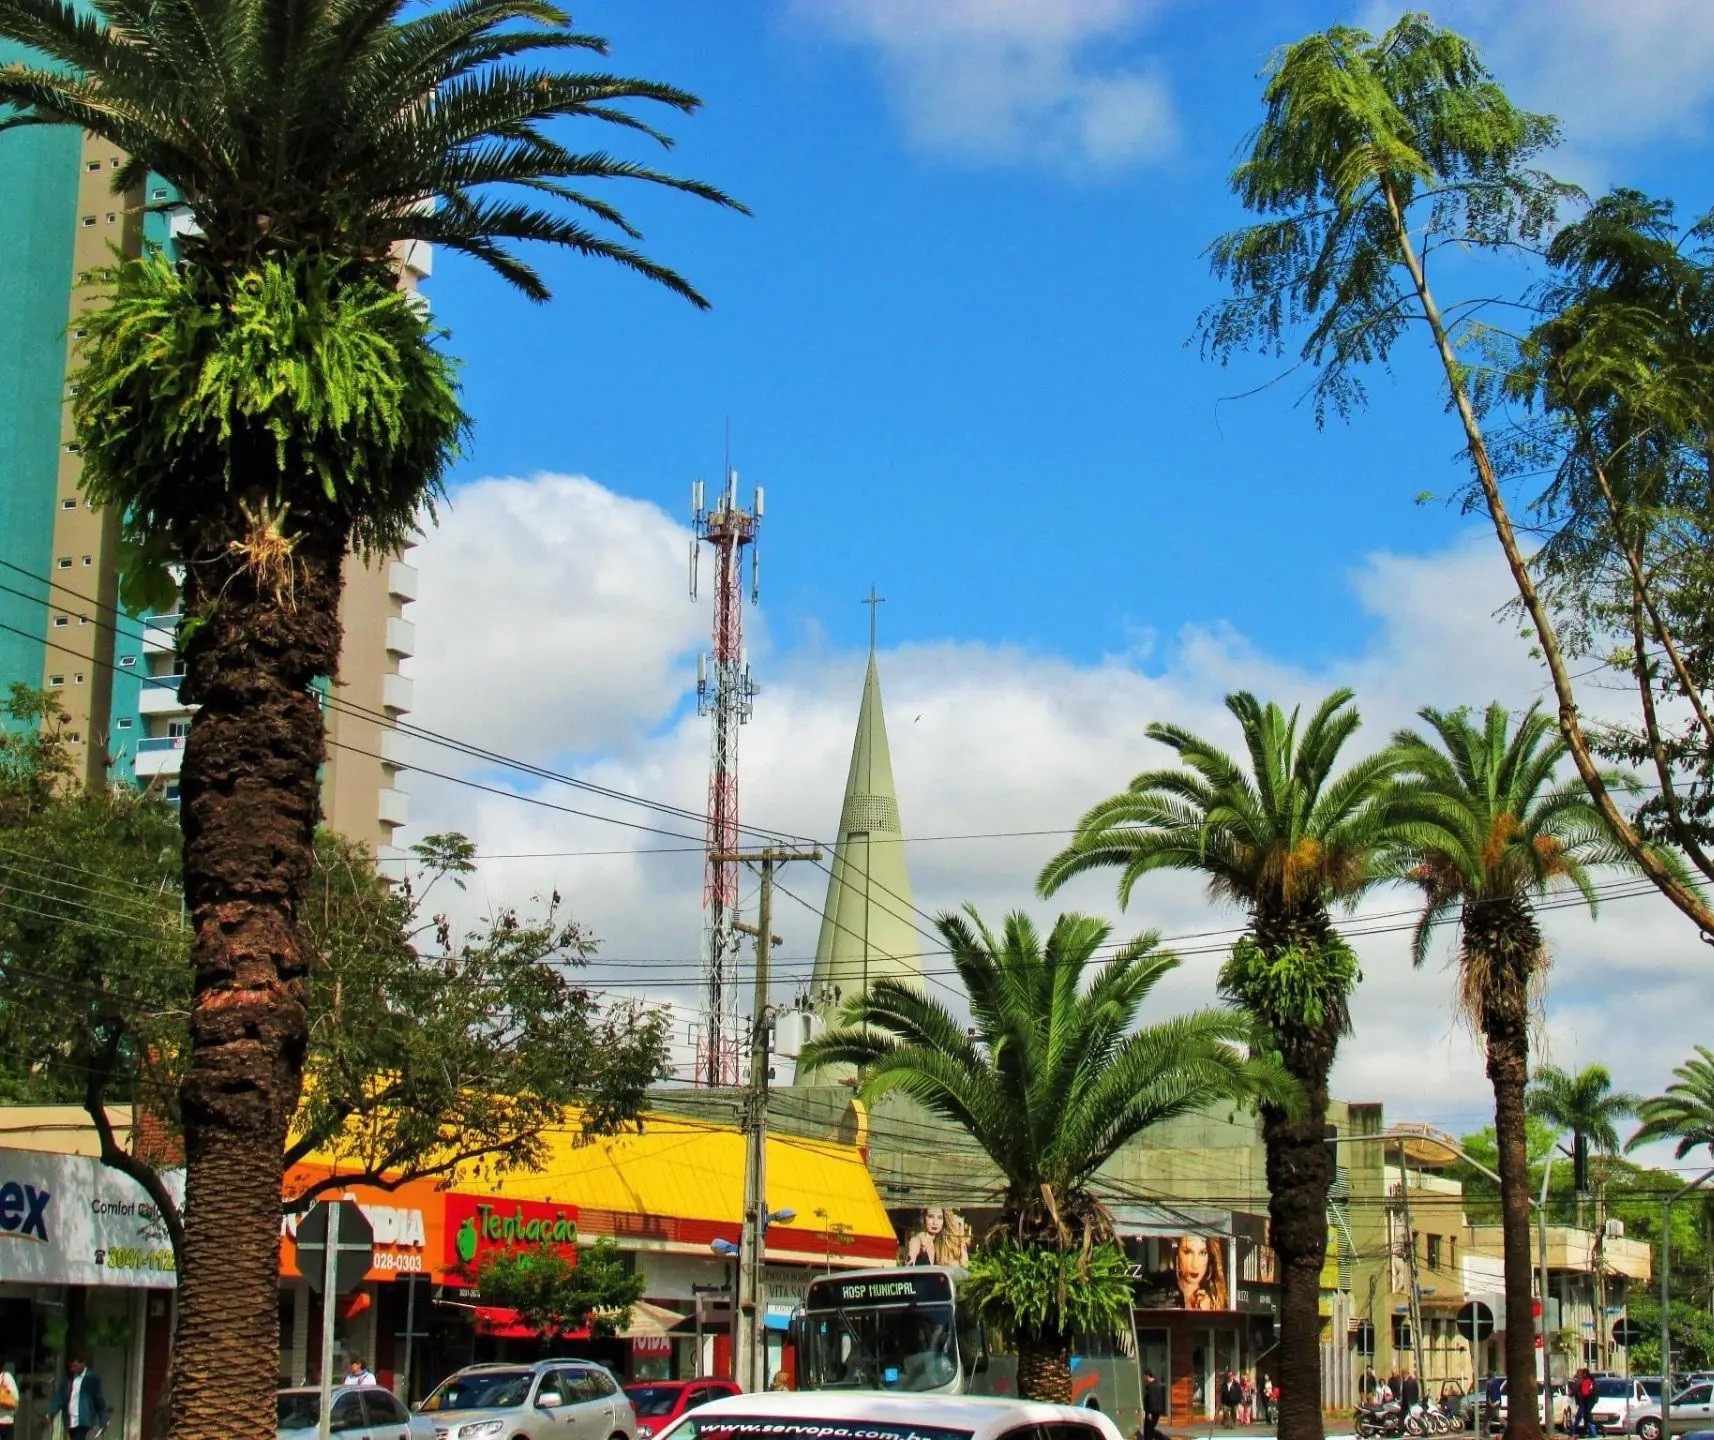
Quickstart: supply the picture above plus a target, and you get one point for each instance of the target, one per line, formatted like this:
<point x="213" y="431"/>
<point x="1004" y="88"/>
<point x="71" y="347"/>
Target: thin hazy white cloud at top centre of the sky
<point x="1014" y="81"/>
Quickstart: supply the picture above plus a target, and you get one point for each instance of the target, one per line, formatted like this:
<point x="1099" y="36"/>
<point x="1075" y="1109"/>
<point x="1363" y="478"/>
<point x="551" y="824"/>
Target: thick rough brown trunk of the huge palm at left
<point x="251" y="800"/>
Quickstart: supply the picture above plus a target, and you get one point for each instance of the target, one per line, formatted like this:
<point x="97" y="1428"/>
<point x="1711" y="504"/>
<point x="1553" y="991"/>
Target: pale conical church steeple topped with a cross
<point x="868" y="925"/>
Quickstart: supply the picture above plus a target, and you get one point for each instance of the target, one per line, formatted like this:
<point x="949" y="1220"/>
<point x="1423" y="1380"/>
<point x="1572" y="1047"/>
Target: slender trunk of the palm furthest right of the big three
<point x="1504" y="961"/>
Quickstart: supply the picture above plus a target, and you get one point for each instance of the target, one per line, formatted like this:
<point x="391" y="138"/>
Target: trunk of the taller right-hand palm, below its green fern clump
<point x="1298" y="1185"/>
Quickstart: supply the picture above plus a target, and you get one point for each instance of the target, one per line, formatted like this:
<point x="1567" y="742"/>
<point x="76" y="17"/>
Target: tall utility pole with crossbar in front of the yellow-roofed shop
<point x="750" y="1350"/>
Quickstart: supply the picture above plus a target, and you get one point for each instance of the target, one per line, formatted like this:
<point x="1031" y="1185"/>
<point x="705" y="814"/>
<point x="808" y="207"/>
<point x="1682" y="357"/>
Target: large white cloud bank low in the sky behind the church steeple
<point x="986" y="741"/>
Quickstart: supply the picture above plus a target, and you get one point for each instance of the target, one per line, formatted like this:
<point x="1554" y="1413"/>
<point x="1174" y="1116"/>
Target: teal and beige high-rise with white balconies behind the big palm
<point x="63" y="627"/>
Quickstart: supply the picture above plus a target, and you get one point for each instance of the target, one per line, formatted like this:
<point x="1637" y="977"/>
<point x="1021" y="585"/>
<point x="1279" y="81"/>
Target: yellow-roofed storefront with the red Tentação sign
<point x="671" y="1197"/>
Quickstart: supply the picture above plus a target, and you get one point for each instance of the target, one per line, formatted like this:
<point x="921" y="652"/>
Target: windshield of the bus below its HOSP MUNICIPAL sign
<point x="880" y="1348"/>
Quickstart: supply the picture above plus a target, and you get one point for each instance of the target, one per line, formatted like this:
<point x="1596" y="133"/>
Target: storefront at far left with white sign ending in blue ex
<point x="87" y="1269"/>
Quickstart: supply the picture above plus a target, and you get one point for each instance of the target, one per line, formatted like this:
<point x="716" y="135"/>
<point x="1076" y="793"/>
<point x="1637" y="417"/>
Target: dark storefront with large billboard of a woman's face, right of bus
<point x="1206" y="1300"/>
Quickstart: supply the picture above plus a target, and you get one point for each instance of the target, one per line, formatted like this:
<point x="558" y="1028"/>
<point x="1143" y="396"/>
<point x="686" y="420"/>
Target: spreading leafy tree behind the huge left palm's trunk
<point x="431" y="1048"/>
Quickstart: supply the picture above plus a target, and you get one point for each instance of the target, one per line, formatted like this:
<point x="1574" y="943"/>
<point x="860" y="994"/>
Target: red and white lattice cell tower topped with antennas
<point x="724" y="692"/>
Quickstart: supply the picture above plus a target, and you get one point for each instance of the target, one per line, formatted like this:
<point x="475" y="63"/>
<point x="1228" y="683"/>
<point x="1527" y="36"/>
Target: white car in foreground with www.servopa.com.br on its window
<point x="853" y="1415"/>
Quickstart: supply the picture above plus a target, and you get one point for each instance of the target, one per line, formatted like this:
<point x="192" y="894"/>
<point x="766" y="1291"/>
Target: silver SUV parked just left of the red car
<point x="553" y="1400"/>
